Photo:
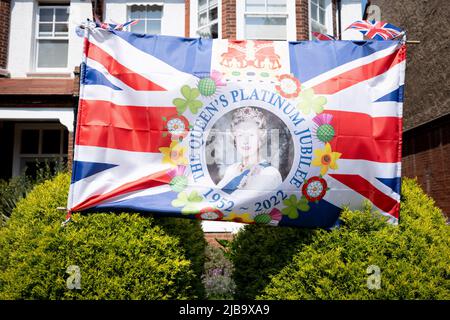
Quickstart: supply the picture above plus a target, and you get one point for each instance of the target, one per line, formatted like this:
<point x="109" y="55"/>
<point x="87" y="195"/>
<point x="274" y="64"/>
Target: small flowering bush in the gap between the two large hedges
<point x="217" y="278"/>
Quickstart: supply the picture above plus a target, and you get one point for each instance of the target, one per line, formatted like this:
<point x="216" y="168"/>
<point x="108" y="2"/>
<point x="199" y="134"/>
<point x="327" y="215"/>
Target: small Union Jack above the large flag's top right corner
<point x="376" y="30"/>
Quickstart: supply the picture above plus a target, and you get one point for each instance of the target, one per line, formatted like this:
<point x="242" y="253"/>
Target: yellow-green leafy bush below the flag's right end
<point x="413" y="257"/>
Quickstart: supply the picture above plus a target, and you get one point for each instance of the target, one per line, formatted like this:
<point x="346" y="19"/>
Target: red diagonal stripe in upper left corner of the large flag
<point x="118" y="70"/>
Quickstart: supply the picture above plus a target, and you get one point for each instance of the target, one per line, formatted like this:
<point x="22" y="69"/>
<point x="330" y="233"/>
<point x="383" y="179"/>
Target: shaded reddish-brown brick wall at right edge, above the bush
<point x="426" y="154"/>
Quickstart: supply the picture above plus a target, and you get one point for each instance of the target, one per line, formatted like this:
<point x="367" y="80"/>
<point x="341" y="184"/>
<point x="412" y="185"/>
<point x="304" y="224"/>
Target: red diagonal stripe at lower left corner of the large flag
<point x="150" y="181"/>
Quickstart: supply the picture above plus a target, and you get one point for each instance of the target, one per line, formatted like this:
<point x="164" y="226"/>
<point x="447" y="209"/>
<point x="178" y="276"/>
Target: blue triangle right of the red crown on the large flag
<point x="309" y="59"/>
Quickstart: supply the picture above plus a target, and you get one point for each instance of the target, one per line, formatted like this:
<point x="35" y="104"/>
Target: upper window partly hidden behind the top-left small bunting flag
<point x="149" y="17"/>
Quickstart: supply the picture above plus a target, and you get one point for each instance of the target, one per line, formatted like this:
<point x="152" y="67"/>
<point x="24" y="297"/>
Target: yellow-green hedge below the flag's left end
<point x="120" y="256"/>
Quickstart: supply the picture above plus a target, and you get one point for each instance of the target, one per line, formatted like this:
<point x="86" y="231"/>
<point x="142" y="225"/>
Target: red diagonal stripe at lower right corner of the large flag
<point x="369" y="191"/>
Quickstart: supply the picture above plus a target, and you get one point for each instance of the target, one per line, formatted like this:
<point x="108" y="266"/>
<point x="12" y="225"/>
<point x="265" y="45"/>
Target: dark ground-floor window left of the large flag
<point x="37" y="144"/>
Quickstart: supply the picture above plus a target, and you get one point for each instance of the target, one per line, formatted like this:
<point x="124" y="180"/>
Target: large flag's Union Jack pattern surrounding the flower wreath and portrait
<point x="128" y="85"/>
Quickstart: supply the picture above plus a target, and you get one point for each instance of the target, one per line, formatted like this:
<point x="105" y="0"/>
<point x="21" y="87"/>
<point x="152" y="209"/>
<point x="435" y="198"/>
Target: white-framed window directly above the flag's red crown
<point x="265" y="19"/>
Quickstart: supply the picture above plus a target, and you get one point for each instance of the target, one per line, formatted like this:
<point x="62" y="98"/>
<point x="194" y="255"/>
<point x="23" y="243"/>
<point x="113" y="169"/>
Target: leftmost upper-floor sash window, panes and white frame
<point x="52" y="37"/>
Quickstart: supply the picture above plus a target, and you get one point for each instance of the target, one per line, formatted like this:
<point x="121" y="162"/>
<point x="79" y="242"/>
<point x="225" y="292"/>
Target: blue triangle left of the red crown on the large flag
<point x="190" y="55"/>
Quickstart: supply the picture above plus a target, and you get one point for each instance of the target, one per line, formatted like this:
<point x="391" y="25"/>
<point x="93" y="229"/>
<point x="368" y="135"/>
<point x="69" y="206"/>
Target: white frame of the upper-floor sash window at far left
<point x="37" y="37"/>
